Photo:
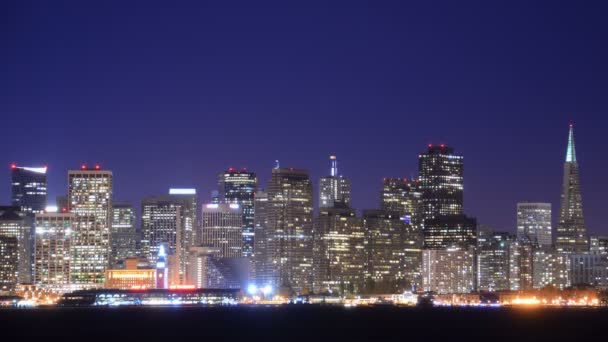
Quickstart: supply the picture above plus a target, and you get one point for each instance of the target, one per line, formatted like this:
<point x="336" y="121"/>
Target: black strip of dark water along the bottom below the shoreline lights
<point x="312" y="323"/>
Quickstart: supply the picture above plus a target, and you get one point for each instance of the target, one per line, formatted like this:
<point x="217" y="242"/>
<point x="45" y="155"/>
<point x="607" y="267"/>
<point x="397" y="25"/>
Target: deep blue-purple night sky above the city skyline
<point x="168" y="96"/>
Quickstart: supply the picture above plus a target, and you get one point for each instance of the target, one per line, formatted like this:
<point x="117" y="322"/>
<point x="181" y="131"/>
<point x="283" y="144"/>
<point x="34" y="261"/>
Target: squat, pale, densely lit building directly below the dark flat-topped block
<point x="450" y="270"/>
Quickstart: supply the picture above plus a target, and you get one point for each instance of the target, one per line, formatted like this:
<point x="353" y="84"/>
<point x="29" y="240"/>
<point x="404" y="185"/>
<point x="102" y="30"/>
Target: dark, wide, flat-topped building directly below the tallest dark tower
<point x="450" y="231"/>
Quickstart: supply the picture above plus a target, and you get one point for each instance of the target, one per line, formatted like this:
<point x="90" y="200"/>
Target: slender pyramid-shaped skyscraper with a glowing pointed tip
<point x="571" y="234"/>
